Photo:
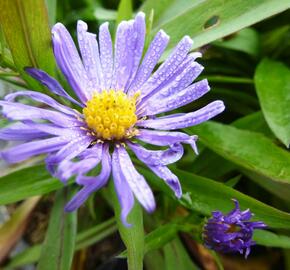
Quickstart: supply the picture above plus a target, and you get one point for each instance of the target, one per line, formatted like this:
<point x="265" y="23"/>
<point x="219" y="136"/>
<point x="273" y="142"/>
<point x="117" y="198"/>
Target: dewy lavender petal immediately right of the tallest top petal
<point x="150" y="60"/>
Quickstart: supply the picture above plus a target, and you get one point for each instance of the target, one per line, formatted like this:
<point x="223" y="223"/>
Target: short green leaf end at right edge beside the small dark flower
<point x="271" y="239"/>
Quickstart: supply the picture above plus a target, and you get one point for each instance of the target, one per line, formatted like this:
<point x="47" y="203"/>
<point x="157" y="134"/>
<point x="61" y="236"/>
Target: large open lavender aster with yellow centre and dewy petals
<point x="117" y="99"/>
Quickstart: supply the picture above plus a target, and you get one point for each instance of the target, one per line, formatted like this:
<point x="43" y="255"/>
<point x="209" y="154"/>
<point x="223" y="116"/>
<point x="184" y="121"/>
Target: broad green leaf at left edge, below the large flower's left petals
<point x="26" y="183"/>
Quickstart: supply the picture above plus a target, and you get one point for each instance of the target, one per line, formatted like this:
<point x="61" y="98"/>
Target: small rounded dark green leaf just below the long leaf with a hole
<point x="247" y="40"/>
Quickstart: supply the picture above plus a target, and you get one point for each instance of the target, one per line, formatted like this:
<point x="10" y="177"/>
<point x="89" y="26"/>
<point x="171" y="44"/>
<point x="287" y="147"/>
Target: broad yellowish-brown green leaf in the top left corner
<point x="25" y="25"/>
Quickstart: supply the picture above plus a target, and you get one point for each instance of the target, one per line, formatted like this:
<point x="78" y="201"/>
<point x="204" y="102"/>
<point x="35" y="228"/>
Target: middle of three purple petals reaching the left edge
<point x="20" y="132"/>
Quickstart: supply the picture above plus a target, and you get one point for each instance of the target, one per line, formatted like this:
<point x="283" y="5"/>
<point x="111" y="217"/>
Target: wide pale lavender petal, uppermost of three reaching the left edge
<point x="21" y="112"/>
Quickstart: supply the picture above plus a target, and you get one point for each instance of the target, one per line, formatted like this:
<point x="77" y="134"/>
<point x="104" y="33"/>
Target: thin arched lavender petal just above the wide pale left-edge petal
<point x="42" y="98"/>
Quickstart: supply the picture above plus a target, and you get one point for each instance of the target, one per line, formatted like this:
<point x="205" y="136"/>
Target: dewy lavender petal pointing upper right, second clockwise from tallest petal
<point x="167" y="69"/>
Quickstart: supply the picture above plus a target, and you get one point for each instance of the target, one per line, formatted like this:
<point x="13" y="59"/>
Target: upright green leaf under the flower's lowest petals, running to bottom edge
<point x="133" y="237"/>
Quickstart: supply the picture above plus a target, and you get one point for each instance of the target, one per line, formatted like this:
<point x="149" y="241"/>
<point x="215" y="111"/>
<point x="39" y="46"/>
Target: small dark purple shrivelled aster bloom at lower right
<point x="232" y="232"/>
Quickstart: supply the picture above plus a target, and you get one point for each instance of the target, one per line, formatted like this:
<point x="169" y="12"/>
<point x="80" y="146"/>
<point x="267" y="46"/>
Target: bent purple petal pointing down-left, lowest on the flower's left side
<point x="93" y="184"/>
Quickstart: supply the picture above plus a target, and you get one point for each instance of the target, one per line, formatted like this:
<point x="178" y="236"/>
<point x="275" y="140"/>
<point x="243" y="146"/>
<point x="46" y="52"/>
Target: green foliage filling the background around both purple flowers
<point x="244" y="153"/>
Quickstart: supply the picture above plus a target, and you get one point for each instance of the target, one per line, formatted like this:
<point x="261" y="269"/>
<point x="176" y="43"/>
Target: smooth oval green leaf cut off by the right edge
<point x="273" y="88"/>
